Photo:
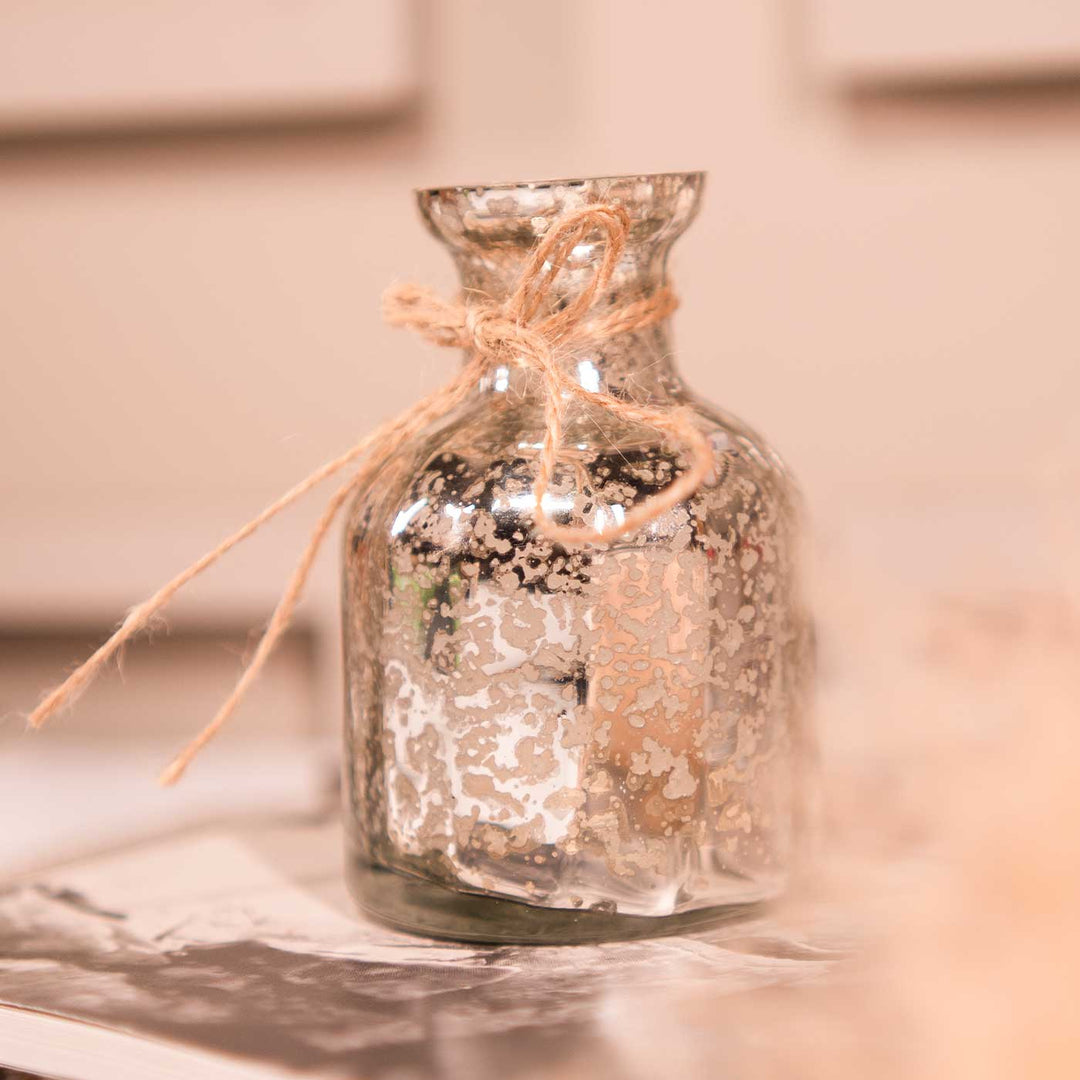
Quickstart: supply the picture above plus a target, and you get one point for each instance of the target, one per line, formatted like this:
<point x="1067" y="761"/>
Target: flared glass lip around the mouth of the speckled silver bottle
<point x="660" y="207"/>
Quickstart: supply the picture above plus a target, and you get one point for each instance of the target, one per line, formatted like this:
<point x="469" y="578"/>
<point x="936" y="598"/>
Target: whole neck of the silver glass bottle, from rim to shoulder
<point x="491" y="233"/>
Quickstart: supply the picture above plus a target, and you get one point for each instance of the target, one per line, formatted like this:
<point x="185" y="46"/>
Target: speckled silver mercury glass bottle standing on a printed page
<point x="560" y="745"/>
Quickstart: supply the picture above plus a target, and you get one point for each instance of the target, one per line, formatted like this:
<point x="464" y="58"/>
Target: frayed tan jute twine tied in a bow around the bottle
<point x="511" y="333"/>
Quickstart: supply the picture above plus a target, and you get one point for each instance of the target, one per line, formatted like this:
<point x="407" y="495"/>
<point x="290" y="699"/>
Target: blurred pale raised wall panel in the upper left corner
<point x="70" y="65"/>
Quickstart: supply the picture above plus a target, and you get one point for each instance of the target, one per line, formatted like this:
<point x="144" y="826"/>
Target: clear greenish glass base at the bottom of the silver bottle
<point x="418" y="907"/>
